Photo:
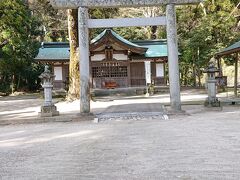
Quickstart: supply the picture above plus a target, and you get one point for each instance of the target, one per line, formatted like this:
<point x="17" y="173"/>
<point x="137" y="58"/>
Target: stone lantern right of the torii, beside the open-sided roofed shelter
<point x="212" y="100"/>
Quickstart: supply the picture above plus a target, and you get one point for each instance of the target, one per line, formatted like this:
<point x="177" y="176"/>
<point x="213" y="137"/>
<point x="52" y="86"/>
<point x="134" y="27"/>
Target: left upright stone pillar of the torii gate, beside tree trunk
<point x="84" y="60"/>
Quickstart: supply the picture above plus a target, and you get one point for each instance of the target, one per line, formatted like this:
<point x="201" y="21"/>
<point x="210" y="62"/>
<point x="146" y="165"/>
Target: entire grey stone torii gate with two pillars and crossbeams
<point x="84" y="23"/>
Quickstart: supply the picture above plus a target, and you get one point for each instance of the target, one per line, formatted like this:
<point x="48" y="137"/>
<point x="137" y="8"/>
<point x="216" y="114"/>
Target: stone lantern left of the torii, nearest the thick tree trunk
<point x="48" y="109"/>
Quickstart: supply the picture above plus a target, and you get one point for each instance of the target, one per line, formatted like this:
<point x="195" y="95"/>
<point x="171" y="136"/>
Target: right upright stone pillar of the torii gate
<point x="173" y="58"/>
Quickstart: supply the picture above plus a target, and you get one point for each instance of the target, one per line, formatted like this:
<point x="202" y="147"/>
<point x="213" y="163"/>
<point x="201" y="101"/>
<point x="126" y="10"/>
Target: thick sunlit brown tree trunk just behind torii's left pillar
<point x="74" y="79"/>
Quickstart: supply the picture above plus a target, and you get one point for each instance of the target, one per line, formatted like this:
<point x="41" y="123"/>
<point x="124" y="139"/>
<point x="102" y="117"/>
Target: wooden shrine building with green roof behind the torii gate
<point x="115" y="61"/>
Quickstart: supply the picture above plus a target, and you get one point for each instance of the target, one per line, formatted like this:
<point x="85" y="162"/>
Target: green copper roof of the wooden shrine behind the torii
<point x="59" y="51"/>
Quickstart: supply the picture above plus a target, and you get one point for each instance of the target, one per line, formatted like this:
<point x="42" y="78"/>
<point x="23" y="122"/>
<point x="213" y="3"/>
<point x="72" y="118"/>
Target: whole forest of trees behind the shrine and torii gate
<point x="203" y="30"/>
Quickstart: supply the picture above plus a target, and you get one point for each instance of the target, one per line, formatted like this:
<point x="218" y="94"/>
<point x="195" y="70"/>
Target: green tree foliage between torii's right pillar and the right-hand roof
<point x="203" y="30"/>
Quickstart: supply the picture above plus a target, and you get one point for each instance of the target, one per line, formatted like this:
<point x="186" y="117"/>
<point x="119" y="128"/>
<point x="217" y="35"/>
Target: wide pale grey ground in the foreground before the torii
<point x="202" y="145"/>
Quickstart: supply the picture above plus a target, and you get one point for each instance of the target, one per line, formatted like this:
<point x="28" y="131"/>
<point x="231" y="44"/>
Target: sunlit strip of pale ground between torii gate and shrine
<point x="19" y="109"/>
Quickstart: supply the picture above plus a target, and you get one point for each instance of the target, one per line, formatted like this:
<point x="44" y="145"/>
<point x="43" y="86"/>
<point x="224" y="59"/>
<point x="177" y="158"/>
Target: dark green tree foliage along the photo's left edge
<point x="18" y="29"/>
